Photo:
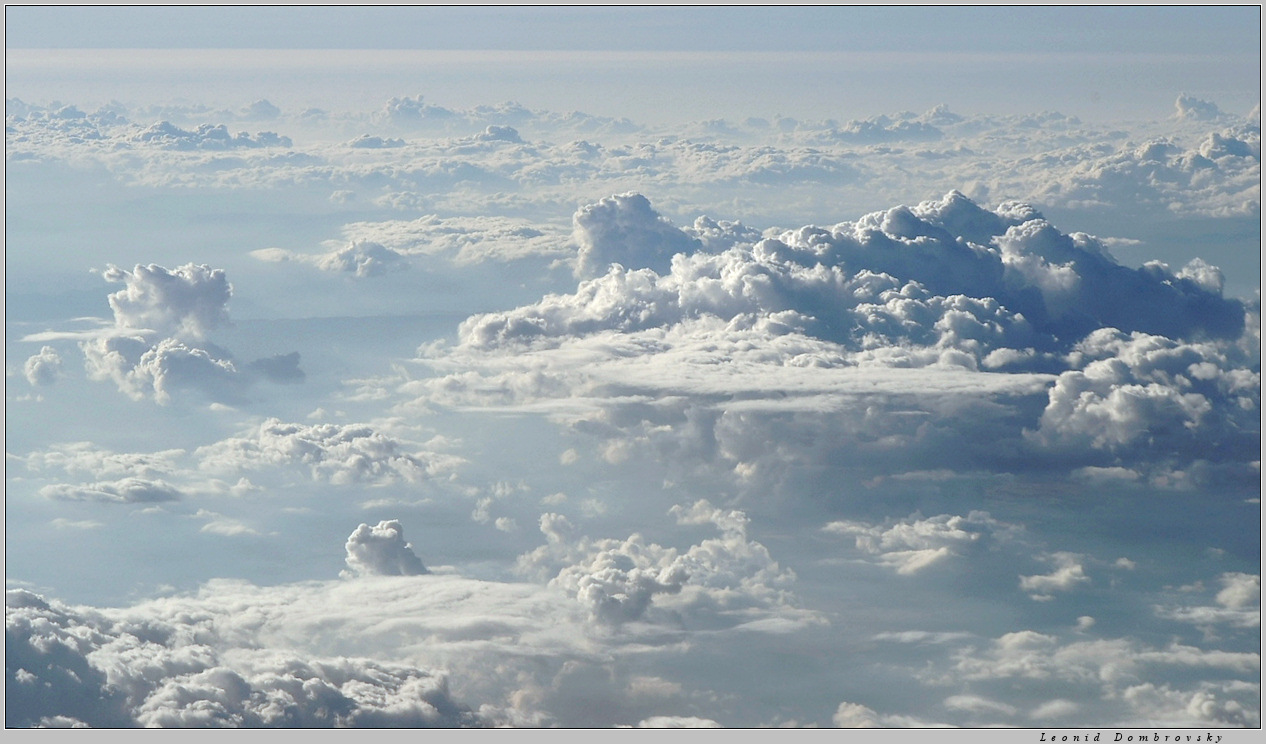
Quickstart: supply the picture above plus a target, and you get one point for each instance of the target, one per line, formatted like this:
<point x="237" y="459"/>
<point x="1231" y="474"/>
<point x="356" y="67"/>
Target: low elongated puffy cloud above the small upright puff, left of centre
<point x="330" y="452"/>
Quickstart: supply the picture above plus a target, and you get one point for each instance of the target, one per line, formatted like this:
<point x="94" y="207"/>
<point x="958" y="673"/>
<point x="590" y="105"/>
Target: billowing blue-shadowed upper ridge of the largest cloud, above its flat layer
<point x="1018" y="270"/>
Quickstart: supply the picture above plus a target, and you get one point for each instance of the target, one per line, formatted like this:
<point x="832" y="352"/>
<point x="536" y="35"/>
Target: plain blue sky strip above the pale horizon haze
<point x="1194" y="30"/>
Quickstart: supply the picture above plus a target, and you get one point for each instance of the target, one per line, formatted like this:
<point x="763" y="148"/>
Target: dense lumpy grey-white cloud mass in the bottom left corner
<point x="83" y="667"/>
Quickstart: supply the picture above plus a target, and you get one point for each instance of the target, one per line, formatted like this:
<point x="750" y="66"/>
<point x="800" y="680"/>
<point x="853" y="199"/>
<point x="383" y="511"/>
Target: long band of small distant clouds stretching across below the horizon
<point x="775" y="169"/>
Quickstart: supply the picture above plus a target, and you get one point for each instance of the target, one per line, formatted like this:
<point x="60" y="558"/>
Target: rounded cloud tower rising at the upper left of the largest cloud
<point x="625" y="230"/>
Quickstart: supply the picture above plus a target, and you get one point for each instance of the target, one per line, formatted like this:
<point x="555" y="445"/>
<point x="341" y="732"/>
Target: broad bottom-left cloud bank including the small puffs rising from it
<point x="315" y="655"/>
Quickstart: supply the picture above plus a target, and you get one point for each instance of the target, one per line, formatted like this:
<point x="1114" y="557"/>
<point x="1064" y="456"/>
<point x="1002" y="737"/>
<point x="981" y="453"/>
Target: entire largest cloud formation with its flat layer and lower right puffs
<point x="1030" y="346"/>
